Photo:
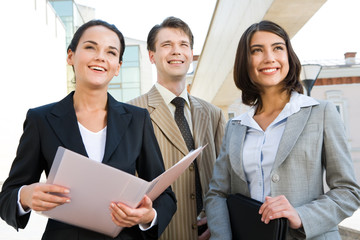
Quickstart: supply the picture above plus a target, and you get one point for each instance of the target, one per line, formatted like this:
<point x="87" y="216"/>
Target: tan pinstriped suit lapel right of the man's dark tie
<point x="200" y="121"/>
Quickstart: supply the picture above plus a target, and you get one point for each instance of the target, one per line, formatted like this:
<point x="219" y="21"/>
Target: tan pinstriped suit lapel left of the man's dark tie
<point x="161" y="116"/>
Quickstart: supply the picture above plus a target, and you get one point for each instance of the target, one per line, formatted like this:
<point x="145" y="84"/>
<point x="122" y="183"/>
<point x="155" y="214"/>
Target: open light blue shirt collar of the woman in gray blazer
<point x="297" y="101"/>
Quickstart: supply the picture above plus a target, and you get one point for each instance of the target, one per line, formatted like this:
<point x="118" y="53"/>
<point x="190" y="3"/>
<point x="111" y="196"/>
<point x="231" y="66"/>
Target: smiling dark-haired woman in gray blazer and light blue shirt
<point x="279" y="150"/>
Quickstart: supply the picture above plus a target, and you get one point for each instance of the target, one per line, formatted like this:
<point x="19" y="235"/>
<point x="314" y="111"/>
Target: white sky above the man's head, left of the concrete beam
<point x="135" y="18"/>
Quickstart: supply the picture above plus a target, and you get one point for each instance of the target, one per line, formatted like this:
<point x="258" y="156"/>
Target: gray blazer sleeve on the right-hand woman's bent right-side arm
<point x="343" y="197"/>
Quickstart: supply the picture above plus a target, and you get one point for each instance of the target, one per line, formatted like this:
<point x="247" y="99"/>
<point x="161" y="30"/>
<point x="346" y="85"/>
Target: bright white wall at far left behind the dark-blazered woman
<point x="33" y="63"/>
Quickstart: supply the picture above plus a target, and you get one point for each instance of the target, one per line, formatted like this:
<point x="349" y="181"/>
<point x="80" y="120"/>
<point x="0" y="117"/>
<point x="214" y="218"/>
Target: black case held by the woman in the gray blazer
<point x="246" y="221"/>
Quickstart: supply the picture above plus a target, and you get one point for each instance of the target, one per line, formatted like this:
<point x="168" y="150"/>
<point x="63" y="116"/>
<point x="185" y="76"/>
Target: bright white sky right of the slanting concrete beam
<point x="331" y="32"/>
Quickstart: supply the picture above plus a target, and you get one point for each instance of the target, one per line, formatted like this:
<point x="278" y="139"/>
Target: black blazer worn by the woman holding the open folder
<point x="130" y="146"/>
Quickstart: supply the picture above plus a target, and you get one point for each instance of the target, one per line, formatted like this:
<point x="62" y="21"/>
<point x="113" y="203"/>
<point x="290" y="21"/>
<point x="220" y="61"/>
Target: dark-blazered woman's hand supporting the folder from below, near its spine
<point x="125" y="216"/>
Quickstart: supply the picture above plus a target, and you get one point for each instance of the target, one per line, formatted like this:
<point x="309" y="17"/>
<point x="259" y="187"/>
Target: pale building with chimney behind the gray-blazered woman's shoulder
<point x="339" y="82"/>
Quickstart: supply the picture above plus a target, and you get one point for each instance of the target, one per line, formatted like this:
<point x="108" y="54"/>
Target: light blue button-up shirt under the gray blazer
<point x="260" y="147"/>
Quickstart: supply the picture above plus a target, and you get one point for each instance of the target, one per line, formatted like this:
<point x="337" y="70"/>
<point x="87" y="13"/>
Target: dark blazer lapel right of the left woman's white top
<point x="117" y="122"/>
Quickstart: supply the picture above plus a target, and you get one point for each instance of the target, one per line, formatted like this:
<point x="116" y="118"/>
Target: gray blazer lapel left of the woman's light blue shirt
<point x="237" y="137"/>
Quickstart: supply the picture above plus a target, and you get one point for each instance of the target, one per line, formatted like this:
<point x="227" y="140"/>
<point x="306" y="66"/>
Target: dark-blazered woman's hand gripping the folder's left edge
<point x="39" y="197"/>
